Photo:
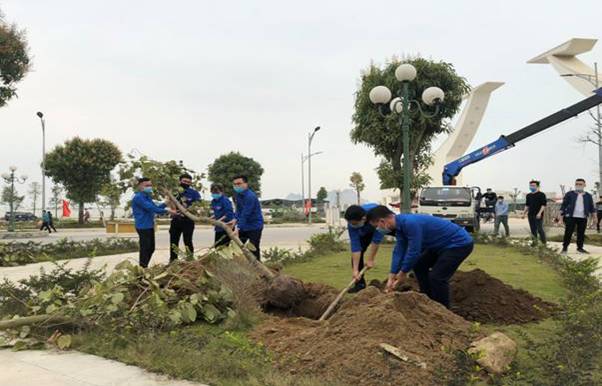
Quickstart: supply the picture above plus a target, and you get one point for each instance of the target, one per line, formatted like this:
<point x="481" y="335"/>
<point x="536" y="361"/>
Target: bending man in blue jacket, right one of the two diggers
<point x="434" y="248"/>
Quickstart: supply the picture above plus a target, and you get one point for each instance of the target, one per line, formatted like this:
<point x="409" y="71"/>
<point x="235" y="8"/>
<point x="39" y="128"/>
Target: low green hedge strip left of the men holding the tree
<point x="20" y="253"/>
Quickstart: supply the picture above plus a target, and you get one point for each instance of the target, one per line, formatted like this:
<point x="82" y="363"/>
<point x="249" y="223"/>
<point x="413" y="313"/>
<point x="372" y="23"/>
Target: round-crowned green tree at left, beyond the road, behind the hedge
<point x="83" y="167"/>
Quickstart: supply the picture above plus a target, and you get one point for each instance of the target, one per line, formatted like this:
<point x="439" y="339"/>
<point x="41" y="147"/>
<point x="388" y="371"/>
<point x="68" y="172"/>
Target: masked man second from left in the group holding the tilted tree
<point x="180" y="224"/>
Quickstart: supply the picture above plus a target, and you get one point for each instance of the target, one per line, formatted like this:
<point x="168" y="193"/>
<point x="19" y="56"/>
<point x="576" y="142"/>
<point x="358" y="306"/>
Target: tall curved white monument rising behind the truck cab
<point x="457" y="143"/>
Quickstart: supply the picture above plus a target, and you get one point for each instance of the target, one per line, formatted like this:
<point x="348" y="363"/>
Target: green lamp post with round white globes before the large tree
<point x="404" y="107"/>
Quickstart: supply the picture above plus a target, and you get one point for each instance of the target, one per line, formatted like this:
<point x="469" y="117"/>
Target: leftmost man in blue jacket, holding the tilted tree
<point x="144" y="210"/>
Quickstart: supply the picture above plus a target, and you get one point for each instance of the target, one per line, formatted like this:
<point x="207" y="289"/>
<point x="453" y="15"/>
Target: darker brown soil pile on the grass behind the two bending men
<point x="479" y="297"/>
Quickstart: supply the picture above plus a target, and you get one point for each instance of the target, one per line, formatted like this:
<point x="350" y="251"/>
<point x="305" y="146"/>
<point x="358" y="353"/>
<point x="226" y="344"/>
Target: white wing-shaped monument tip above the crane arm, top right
<point x="564" y="60"/>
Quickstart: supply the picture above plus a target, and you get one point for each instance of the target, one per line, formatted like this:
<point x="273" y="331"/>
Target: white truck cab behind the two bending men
<point x="458" y="204"/>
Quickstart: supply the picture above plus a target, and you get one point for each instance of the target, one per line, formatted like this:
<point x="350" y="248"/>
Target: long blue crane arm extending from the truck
<point x="505" y="142"/>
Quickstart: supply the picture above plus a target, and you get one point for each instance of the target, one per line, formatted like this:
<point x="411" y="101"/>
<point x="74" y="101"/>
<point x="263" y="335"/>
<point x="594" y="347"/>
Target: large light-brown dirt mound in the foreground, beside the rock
<point x="346" y="348"/>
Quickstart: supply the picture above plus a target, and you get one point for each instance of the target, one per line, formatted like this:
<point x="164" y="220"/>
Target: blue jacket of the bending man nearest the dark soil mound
<point x="417" y="233"/>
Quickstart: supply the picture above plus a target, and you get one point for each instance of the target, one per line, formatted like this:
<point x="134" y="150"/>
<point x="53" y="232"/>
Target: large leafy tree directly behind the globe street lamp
<point x="384" y="135"/>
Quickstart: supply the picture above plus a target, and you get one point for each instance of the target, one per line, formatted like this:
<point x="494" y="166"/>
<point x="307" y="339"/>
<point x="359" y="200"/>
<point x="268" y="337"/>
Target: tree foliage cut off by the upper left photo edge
<point x="14" y="59"/>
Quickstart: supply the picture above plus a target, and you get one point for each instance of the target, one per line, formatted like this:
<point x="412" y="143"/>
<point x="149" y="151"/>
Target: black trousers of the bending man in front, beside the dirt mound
<point x="434" y="269"/>
